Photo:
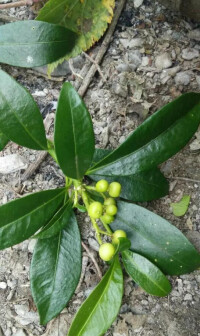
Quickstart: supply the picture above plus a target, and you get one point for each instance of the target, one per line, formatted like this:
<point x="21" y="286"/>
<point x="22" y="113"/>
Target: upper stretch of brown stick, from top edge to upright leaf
<point x="103" y="49"/>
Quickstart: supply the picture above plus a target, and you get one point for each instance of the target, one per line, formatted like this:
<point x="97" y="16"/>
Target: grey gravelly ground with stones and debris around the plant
<point x="147" y="41"/>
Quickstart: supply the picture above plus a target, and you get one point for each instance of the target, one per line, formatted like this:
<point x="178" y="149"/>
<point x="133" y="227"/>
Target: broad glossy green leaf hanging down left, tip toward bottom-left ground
<point x="55" y="270"/>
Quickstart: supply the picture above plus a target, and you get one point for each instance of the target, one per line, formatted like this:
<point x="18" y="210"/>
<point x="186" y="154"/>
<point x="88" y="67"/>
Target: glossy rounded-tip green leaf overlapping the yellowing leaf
<point x="34" y="43"/>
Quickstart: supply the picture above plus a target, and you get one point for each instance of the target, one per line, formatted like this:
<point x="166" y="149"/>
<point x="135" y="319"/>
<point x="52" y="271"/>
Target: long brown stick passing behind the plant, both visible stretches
<point x="87" y="80"/>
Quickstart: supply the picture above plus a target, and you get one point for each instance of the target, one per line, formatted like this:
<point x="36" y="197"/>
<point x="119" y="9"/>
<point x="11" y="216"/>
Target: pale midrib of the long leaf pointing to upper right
<point x="139" y="149"/>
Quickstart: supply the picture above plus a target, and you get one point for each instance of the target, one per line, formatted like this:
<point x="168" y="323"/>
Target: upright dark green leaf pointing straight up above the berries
<point x="74" y="136"/>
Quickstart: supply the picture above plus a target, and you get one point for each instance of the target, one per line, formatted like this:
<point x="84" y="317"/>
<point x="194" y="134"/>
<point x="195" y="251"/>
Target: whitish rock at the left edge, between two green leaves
<point x="11" y="163"/>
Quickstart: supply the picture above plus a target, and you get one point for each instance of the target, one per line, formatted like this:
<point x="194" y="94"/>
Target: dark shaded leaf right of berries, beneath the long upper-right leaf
<point x="141" y="187"/>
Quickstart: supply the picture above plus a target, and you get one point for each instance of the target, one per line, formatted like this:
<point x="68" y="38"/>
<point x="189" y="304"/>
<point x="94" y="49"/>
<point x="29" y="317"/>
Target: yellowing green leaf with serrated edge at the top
<point x="88" y="18"/>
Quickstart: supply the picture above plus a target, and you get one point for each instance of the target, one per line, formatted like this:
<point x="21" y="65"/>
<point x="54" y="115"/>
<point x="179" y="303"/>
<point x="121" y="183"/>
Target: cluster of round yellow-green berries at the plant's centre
<point x="106" y="212"/>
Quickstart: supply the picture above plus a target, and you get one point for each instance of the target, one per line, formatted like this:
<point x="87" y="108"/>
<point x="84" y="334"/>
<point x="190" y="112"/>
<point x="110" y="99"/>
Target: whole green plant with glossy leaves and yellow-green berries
<point x="105" y="184"/>
